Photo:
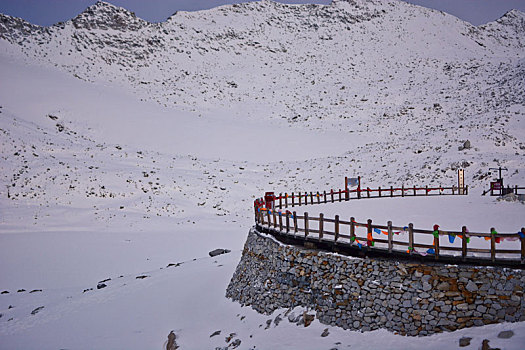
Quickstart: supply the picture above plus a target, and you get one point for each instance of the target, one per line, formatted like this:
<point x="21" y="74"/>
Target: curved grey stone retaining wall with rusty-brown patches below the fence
<point x="367" y="294"/>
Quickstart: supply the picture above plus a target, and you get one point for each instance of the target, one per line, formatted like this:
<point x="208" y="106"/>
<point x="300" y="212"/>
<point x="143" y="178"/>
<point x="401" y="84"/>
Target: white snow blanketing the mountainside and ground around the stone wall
<point x="113" y="168"/>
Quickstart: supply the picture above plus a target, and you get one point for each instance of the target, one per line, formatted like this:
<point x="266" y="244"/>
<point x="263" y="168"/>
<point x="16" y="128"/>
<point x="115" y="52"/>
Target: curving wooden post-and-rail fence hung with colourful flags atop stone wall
<point x="358" y="238"/>
